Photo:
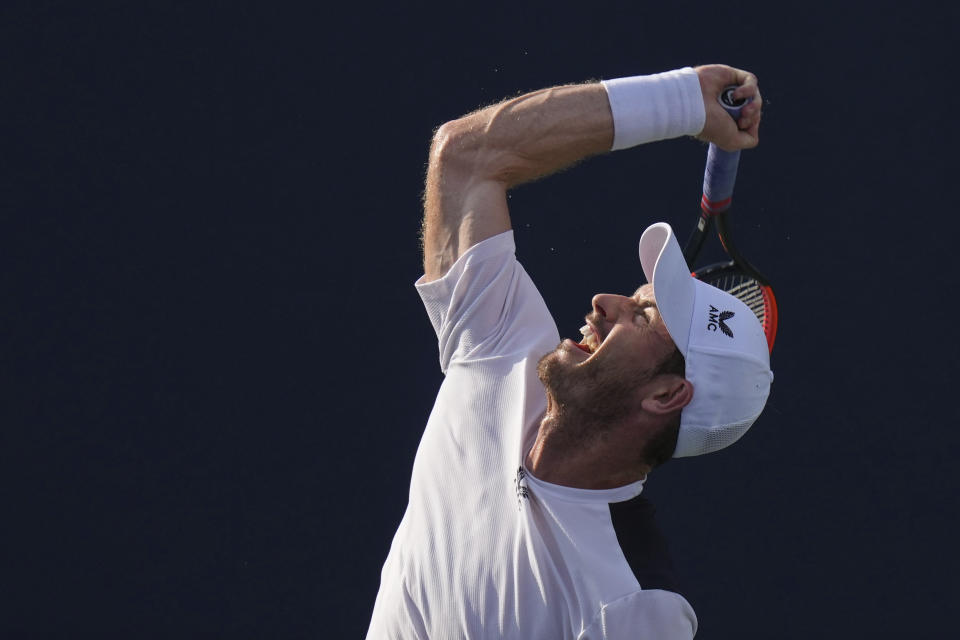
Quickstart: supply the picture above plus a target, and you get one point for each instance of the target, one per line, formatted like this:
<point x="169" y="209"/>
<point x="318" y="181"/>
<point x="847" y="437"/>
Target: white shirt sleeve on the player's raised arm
<point x="486" y="305"/>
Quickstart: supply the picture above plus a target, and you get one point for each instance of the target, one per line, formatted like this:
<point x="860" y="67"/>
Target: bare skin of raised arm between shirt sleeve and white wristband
<point x="474" y="160"/>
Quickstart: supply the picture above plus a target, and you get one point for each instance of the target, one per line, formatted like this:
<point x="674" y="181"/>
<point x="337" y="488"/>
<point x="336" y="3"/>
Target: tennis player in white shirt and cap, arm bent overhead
<point x="525" y="518"/>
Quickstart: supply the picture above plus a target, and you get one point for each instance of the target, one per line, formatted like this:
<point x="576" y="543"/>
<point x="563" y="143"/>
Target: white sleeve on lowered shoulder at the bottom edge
<point x="654" y="614"/>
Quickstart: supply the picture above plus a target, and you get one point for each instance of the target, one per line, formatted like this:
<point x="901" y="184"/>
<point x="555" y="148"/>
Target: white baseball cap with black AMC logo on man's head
<point x="722" y="341"/>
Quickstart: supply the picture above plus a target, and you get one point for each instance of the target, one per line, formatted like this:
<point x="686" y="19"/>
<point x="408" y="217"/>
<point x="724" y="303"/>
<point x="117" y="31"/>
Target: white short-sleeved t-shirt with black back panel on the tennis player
<point x="485" y="550"/>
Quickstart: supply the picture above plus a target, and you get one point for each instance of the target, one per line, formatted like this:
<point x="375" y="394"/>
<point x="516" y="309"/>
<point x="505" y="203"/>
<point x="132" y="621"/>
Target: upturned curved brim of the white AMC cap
<point x="673" y="286"/>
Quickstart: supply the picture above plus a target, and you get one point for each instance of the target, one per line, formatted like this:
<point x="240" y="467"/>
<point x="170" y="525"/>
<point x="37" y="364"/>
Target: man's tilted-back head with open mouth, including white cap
<point x="663" y="354"/>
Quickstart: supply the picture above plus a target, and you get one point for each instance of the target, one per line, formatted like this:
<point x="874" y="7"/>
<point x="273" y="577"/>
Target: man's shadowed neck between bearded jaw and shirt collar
<point x="572" y="450"/>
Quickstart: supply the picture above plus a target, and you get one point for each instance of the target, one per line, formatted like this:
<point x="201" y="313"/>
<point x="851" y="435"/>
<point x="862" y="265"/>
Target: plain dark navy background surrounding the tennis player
<point x="216" y="369"/>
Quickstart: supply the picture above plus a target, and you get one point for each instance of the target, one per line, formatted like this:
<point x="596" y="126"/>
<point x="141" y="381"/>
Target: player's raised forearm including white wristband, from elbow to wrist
<point x="542" y="132"/>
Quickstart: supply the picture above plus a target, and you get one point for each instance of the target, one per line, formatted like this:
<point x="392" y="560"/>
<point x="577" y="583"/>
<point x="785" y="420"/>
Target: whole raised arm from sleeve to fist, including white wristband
<point x="474" y="160"/>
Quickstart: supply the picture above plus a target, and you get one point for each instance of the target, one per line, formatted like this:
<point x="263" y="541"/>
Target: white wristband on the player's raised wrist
<point x="655" y="107"/>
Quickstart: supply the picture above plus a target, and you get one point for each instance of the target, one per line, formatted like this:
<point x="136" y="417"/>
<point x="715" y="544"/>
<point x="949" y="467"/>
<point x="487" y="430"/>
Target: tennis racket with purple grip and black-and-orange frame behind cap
<point x="736" y="276"/>
